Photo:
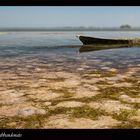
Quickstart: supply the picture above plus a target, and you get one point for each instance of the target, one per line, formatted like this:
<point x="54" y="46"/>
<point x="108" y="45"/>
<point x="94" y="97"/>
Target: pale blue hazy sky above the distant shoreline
<point x="73" y="16"/>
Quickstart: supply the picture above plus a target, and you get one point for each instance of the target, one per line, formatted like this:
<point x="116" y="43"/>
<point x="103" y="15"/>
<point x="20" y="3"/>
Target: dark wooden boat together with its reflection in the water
<point x="94" y="44"/>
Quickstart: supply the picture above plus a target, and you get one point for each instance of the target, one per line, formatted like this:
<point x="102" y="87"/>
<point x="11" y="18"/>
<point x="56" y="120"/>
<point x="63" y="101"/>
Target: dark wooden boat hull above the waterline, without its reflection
<point x="102" y="41"/>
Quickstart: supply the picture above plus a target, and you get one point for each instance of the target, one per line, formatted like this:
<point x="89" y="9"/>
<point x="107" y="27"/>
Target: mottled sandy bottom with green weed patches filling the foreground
<point x="63" y="93"/>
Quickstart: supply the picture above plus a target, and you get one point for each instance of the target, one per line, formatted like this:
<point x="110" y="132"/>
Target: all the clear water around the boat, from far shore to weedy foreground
<point x="42" y="77"/>
